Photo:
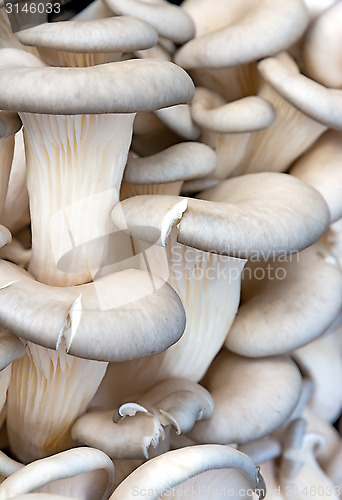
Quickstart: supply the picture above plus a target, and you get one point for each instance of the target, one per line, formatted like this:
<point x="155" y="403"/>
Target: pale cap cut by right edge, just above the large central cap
<point x="321" y="166"/>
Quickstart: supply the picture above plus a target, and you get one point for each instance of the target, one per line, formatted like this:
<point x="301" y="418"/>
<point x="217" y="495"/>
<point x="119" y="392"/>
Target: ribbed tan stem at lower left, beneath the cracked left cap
<point x="47" y="392"/>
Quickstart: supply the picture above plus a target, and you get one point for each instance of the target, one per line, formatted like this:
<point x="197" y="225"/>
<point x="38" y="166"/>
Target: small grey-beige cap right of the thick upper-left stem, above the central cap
<point x="186" y="160"/>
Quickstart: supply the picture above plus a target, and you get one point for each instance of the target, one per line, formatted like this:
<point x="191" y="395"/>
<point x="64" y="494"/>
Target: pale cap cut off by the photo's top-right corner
<point x="322" y="48"/>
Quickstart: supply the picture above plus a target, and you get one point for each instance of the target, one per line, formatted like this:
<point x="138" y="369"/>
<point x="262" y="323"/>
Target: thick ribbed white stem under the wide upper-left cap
<point x="74" y="170"/>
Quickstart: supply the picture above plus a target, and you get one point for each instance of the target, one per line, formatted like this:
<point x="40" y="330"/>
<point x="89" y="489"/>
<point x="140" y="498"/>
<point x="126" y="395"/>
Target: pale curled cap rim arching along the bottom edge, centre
<point x="159" y="475"/>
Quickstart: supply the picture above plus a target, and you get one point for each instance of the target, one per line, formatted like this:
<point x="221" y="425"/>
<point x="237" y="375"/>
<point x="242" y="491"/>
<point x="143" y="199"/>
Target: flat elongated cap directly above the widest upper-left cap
<point x="114" y="34"/>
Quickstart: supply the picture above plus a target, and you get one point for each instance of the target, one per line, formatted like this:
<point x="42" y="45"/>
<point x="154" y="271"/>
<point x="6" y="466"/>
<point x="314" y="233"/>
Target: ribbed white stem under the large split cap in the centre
<point x="209" y="287"/>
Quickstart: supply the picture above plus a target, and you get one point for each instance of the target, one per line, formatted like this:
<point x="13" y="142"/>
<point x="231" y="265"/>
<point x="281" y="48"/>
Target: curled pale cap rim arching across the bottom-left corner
<point x="66" y="464"/>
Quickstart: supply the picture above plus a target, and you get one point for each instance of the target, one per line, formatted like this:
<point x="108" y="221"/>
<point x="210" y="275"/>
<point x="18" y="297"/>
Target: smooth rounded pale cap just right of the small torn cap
<point x="241" y="389"/>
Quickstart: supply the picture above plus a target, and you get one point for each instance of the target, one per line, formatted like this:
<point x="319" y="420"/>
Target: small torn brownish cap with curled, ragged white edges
<point x="140" y="426"/>
